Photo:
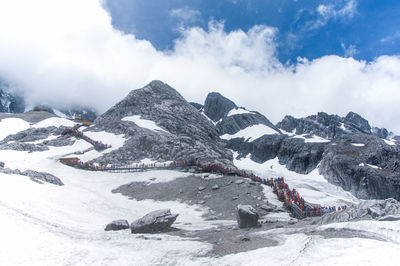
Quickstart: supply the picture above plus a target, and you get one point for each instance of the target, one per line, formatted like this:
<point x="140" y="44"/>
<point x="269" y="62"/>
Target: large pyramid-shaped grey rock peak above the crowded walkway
<point x="186" y="134"/>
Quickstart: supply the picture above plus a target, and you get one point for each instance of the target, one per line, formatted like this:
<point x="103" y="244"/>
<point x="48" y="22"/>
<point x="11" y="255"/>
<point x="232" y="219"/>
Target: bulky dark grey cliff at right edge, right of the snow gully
<point x="364" y="165"/>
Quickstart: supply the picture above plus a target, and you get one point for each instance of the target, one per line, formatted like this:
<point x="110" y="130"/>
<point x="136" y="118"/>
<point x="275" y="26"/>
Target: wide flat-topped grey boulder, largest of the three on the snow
<point x="153" y="222"/>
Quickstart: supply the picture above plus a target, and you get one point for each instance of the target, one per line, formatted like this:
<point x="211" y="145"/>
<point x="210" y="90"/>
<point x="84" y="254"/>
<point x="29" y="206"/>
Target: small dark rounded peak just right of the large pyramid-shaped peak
<point x="217" y="106"/>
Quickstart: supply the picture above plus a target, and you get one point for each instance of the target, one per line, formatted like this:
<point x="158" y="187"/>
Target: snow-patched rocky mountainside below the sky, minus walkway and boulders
<point x="54" y="214"/>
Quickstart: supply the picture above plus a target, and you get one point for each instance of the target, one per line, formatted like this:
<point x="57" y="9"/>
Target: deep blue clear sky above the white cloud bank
<point x="306" y="28"/>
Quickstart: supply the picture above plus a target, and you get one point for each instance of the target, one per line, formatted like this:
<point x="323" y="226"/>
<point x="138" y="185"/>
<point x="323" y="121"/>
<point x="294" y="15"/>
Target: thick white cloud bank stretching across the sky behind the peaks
<point x="66" y="51"/>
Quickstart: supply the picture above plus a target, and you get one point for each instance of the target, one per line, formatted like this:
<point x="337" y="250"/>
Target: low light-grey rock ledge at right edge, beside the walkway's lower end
<point x="370" y="209"/>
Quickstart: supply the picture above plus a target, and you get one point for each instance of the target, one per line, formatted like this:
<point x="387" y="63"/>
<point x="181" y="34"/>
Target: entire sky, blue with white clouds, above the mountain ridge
<point x="282" y="57"/>
